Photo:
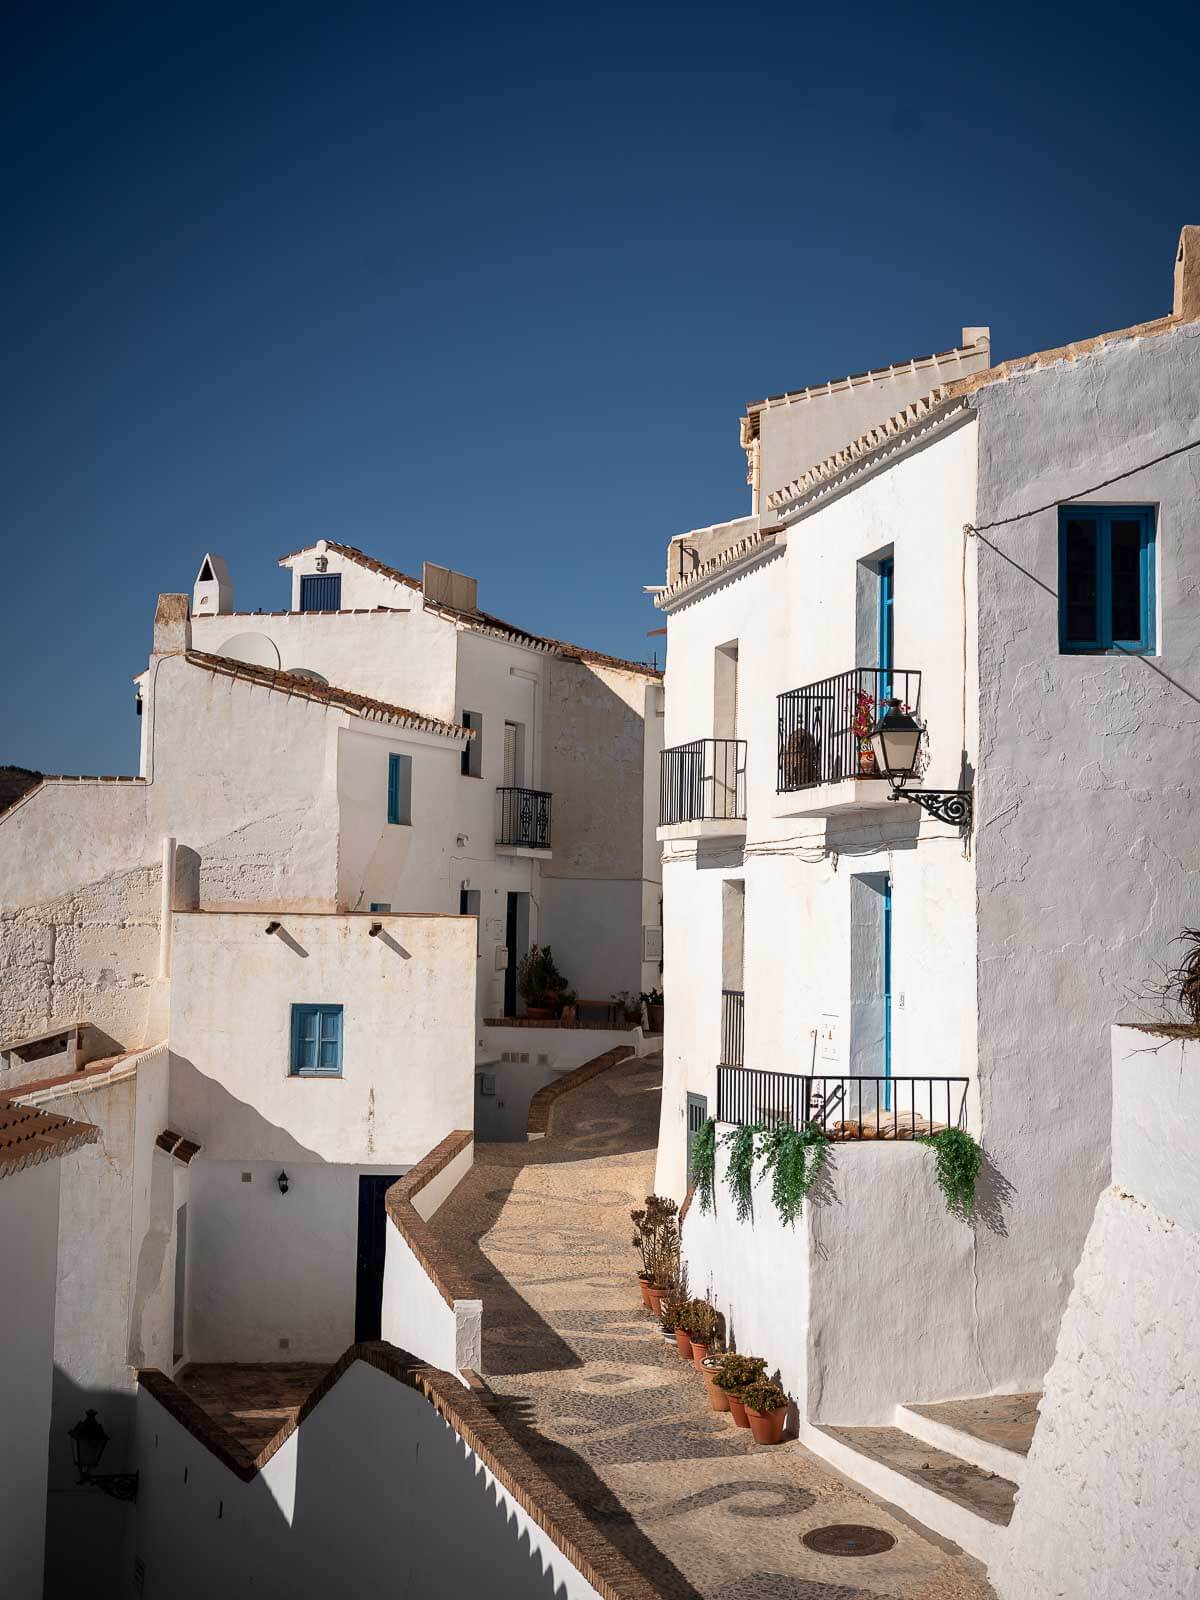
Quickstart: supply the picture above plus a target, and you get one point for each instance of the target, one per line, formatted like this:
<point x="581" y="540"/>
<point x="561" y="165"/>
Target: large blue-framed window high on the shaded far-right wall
<point x="1106" y="580"/>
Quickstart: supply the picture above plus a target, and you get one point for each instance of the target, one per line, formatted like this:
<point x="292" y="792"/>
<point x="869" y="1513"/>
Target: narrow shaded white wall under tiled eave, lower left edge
<point x="30" y="1210"/>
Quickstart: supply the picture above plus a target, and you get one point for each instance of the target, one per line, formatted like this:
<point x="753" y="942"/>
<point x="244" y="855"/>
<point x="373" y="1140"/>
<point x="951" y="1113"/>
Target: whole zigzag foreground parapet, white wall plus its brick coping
<point x="388" y="1486"/>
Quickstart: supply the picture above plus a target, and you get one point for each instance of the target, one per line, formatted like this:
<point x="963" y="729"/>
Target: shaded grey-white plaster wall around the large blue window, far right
<point x="1086" y="804"/>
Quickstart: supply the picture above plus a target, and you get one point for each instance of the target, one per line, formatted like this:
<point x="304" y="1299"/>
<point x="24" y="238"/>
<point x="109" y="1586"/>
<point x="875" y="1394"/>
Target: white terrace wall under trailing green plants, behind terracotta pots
<point x="842" y="1305"/>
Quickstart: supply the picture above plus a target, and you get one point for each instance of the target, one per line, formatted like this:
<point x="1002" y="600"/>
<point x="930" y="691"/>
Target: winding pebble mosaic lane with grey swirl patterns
<point x="585" y="1380"/>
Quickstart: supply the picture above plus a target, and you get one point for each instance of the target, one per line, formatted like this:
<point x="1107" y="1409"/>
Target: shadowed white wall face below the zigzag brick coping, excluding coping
<point x="374" y="1490"/>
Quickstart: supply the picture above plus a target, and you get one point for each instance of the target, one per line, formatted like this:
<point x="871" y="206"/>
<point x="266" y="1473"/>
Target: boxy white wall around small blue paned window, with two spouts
<point x="407" y="1036"/>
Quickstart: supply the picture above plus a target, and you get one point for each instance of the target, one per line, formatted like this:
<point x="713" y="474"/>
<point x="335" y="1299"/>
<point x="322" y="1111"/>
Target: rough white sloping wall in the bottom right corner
<point x="1111" y="1498"/>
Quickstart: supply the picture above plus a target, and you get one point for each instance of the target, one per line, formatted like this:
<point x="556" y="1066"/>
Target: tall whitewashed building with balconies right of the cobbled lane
<point x="1012" y="551"/>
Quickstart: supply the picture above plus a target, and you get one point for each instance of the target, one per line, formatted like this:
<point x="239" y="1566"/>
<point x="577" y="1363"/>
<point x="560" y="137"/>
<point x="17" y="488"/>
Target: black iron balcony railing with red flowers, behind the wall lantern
<point x="822" y="726"/>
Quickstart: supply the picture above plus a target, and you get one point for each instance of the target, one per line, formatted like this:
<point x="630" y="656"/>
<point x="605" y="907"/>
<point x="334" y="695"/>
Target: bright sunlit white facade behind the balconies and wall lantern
<point x="794" y="618"/>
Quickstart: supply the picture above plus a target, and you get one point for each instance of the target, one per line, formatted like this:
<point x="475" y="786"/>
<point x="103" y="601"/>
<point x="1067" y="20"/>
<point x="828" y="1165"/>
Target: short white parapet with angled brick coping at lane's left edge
<point x="431" y="1308"/>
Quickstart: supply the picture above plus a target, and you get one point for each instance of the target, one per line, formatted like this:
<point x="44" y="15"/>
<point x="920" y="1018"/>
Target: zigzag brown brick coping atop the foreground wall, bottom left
<point x="607" y="1569"/>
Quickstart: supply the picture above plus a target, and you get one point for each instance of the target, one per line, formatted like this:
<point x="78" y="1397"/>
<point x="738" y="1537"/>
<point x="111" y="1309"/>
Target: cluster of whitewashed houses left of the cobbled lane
<point x="262" y="967"/>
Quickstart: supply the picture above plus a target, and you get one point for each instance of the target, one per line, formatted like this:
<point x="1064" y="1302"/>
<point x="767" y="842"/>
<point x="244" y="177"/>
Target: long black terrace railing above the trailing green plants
<point x="849" y="1108"/>
